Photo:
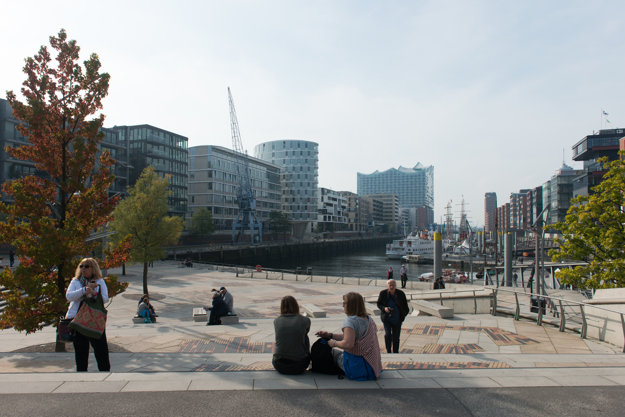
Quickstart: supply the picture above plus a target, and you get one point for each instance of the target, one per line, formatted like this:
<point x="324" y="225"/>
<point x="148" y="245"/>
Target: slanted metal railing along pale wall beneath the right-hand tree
<point x="572" y="315"/>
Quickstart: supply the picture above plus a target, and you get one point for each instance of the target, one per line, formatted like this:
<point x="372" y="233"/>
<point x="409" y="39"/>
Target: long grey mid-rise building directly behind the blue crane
<point x="214" y="179"/>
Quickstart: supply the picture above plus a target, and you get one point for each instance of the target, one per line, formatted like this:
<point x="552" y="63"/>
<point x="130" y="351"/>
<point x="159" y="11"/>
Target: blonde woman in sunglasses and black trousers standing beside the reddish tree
<point x="87" y="282"/>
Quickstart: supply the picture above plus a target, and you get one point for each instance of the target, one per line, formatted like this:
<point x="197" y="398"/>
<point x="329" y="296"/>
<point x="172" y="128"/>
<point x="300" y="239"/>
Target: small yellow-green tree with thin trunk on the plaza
<point x="143" y="217"/>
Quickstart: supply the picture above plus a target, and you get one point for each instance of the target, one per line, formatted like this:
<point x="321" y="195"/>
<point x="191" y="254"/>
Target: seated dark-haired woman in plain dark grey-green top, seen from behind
<point x="291" y="352"/>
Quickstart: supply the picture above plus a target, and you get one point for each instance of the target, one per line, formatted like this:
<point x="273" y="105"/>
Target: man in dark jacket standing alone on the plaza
<point x="393" y="309"/>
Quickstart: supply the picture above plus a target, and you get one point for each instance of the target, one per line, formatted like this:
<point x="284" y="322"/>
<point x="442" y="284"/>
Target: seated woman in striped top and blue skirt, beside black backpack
<point x="360" y="358"/>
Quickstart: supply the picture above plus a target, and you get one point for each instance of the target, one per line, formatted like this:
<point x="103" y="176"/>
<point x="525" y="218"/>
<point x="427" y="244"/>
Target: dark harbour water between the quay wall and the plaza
<point x="369" y="263"/>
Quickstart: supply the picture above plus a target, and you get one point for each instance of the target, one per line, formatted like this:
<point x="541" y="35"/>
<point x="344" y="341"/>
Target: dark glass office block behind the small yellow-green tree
<point x="165" y="151"/>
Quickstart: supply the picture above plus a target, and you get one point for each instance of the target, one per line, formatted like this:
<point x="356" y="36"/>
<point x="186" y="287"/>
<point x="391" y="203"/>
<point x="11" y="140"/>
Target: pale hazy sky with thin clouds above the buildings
<point x="492" y="94"/>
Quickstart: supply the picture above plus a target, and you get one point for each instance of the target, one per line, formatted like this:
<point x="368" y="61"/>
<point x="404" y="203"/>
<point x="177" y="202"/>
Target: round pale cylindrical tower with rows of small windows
<point x="299" y="164"/>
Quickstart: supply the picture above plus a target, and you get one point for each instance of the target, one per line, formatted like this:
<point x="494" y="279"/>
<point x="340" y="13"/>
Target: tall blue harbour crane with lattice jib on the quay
<point x="246" y="219"/>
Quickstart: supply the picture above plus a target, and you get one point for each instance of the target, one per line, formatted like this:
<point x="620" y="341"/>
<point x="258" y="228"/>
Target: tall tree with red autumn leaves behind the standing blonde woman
<point x="53" y="212"/>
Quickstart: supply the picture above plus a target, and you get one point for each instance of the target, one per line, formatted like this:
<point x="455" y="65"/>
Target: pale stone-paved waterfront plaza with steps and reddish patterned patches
<point x="177" y="354"/>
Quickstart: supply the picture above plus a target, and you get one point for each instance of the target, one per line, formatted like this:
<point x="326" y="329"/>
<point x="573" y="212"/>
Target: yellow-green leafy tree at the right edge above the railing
<point x="594" y="231"/>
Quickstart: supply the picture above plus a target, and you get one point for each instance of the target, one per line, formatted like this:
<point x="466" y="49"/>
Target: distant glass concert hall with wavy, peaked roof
<point x="414" y="187"/>
